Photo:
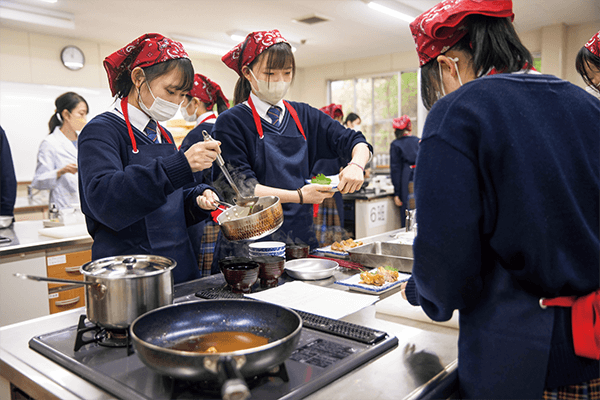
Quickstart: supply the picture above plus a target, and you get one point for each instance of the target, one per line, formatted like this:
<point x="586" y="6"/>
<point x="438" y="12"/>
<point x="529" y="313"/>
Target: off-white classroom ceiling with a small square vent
<point x="353" y="31"/>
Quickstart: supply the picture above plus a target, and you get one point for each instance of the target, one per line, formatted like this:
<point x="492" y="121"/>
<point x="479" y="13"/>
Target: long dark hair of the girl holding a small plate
<point x="279" y="56"/>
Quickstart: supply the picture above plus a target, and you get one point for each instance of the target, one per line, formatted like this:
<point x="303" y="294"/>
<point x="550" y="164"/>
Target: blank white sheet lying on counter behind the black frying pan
<point x="331" y="303"/>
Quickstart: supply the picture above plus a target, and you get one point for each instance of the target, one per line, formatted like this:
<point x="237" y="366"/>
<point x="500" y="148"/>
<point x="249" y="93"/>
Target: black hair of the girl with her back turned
<point x="492" y="43"/>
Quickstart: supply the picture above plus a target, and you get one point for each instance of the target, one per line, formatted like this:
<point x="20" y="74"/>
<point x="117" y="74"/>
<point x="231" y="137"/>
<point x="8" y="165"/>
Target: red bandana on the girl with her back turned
<point x="440" y="28"/>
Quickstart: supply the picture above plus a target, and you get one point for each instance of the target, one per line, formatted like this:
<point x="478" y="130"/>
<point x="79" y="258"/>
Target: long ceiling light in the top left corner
<point x="34" y="15"/>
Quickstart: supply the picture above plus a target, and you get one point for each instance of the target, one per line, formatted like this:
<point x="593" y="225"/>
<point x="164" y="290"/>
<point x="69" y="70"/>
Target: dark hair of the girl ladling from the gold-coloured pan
<point x="124" y="83"/>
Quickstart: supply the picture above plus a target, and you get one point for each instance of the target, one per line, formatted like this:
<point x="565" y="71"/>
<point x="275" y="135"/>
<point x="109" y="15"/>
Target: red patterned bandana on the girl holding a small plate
<point x="256" y="43"/>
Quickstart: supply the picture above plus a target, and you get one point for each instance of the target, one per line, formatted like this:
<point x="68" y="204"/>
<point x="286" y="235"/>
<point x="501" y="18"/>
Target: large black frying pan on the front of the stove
<point x="154" y="332"/>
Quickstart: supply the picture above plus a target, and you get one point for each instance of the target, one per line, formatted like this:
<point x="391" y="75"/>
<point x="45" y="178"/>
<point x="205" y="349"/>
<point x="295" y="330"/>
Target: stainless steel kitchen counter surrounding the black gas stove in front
<point x="397" y="374"/>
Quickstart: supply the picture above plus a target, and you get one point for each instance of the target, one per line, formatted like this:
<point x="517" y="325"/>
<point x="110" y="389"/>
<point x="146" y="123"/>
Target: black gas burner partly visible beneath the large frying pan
<point x="181" y="389"/>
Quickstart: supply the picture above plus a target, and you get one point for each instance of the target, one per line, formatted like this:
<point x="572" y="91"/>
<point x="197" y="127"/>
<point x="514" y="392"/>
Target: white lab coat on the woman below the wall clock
<point x="55" y="152"/>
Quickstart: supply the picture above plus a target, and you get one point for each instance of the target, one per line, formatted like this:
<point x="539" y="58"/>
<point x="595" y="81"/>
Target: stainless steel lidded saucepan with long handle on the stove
<point x="119" y="289"/>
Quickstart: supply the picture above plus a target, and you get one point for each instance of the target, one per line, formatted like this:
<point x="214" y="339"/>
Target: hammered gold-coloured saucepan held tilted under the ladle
<point x="237" y="224"/>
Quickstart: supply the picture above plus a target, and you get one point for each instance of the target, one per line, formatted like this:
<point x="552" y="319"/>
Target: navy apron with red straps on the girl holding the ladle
<point x="165" y="226"/>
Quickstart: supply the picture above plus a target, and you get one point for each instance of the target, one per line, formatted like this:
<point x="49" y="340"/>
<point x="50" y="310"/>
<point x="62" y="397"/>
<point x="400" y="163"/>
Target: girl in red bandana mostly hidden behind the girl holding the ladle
<point x="198" y="107"/>
